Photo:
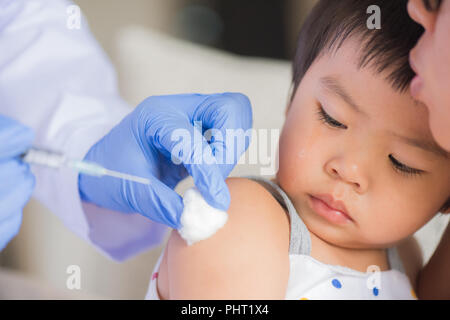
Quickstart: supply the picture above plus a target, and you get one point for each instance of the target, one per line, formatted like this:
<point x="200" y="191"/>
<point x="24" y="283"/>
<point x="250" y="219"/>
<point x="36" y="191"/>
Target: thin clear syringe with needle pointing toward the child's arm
<point x="57" y="160"/>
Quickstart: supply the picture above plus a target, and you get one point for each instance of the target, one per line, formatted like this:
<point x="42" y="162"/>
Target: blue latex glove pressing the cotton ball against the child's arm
<point x="141" y="145"/>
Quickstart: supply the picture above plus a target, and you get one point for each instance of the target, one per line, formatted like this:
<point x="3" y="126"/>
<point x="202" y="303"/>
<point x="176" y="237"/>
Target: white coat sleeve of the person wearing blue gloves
<point x="59" y="82"/>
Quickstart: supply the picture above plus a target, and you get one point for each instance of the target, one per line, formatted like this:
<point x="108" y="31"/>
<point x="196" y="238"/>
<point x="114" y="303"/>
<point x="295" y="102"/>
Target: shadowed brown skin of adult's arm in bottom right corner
<point x="433" y="281"/>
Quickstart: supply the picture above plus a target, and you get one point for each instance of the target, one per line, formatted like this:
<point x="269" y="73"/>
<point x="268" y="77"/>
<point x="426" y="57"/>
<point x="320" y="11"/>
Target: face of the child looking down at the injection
<point x="355" y="162"/>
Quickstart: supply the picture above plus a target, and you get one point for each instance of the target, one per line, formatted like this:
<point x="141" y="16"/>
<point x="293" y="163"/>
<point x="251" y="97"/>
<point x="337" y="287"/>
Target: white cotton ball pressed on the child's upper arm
<point x="199" y="220"/>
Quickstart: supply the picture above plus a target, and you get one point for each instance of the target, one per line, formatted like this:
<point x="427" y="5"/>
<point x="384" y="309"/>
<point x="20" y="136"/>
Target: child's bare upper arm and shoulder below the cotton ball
<point x="246" y="259"/>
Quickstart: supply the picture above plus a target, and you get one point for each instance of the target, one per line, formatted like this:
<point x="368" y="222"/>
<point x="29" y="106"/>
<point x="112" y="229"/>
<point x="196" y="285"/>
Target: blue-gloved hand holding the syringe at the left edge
<point x="16" y="180"/>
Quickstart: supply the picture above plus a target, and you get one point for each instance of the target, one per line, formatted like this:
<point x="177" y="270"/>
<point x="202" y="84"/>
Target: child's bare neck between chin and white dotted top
<point x="357" y="259"/>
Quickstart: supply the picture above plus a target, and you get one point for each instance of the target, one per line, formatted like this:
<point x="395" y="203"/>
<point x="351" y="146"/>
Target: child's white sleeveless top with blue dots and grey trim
<point x="312" y="279"/>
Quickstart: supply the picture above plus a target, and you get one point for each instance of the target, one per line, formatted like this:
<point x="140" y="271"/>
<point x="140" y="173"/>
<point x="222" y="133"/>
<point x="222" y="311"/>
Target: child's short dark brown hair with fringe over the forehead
<point x="386" y="50"/>
